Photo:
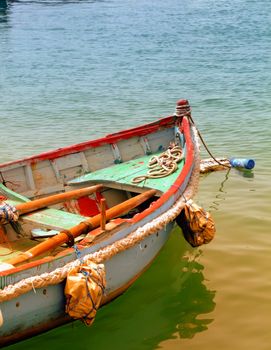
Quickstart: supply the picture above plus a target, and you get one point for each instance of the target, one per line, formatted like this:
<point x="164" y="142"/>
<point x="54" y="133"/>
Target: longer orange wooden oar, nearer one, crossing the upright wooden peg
<point x="83" y="227"/>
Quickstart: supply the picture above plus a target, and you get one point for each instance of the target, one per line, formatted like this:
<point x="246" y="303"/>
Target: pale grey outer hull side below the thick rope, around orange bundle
<point x="43" y="309"/>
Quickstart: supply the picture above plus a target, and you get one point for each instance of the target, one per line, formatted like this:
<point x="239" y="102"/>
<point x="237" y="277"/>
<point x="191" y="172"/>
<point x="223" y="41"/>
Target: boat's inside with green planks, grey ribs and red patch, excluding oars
<point x="111" y="165"/>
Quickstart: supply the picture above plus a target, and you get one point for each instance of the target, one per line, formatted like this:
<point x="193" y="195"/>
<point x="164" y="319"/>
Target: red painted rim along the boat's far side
<point x="109" y="139"/>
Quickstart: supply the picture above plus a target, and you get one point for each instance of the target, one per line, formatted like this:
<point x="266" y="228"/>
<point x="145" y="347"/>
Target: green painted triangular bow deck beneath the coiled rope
<point x="124" y="173"/>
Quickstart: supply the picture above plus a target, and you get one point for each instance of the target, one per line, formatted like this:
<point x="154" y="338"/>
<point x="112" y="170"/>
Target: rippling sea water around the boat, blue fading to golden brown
<point x="75" y="70"/>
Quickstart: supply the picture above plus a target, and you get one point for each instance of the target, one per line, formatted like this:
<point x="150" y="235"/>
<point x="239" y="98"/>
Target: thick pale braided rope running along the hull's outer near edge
<point x="58" y="275"/>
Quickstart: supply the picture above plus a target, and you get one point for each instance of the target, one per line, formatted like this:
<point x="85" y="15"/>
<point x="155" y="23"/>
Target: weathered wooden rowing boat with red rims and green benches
<point x="96" y="200"/>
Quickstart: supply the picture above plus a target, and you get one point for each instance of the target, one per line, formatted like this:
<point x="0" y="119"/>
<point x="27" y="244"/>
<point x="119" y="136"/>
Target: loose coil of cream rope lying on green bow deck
<point x="163" y="165"/>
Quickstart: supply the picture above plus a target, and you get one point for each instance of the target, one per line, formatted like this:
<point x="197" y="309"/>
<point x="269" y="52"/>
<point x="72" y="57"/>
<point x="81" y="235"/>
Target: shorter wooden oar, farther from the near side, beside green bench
<point x="36" y="204"/>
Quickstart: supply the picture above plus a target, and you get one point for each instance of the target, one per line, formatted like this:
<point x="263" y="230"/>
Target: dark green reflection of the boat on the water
<point x="171" y="300"/>
